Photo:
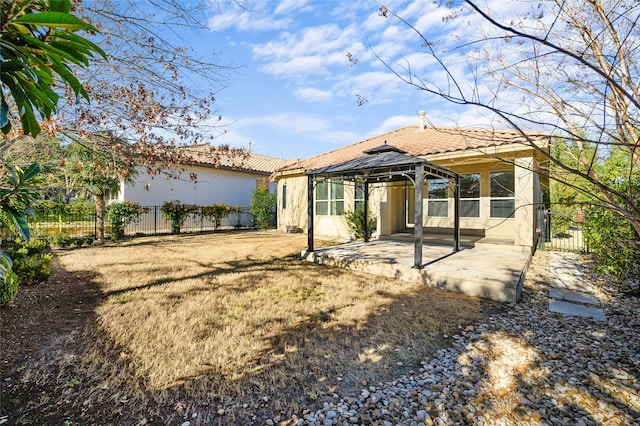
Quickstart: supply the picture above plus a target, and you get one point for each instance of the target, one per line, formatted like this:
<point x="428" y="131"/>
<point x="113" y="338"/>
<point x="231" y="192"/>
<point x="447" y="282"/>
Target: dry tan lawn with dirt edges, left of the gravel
<point x="214" y="330"/>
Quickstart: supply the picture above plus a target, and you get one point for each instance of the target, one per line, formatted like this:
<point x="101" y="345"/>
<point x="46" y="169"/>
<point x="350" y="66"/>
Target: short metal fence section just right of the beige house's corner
<point x="562" y="230"/>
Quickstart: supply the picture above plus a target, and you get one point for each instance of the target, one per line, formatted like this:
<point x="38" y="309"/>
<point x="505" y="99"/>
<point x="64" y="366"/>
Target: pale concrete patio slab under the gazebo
<point x="491" y="272"/>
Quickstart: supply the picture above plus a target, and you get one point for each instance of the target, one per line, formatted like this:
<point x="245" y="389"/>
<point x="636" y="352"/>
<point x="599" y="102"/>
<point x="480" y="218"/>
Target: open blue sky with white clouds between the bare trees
<point x="295" y="93"/>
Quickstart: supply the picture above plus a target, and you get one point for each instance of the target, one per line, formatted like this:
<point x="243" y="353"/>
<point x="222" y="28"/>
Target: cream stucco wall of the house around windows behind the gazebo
<point x="388" y="203"/>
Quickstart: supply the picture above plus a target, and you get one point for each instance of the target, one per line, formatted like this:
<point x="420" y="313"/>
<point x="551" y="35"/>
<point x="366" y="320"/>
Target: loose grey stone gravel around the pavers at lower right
<point x="528" y="366"/>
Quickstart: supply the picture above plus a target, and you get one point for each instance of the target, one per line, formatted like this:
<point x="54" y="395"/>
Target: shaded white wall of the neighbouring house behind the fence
<point x="212" y="186"/>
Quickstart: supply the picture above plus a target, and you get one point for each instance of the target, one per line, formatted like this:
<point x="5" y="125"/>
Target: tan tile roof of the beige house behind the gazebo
<point x="431" y="140"/>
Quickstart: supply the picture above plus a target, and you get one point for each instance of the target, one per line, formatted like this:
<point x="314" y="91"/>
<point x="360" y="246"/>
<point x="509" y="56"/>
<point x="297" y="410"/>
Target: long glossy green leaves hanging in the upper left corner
<point x="39" y="45"/>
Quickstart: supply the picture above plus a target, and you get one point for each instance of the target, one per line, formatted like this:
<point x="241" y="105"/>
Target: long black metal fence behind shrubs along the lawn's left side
<point x="81" y="224"/>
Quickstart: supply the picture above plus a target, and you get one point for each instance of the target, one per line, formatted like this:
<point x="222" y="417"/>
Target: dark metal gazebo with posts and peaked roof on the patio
<point x="385" y="164"/>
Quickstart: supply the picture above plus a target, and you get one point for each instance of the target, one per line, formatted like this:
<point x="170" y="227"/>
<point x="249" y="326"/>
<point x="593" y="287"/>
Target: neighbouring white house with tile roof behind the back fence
<point x="208" y="177"/>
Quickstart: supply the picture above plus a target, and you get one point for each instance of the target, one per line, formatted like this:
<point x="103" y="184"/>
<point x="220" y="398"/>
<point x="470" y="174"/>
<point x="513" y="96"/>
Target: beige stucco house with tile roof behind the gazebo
<point x="479" y="183"/>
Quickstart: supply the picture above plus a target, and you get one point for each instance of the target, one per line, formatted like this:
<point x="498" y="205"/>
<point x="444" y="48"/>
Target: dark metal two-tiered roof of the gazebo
<point x="382" y="163"/>
